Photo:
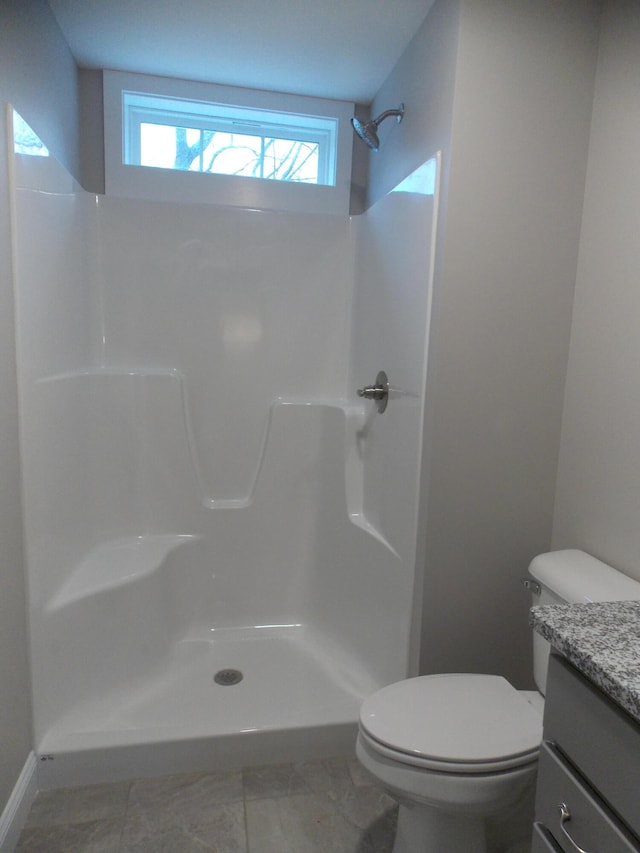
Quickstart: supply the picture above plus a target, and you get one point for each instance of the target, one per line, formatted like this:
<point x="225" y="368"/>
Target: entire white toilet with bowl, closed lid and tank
<point x="459" y="752"/>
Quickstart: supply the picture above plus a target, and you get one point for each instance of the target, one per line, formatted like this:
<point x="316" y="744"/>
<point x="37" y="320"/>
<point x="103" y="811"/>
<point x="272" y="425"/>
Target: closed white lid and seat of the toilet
<point x="454" y="719"/>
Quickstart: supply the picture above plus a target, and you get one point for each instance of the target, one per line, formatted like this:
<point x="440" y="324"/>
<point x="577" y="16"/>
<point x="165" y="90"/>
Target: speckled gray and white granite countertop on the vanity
<point x="602" y="640"/>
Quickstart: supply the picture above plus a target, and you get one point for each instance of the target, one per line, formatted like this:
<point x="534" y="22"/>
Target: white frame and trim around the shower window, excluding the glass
<point x="151" y="182"/>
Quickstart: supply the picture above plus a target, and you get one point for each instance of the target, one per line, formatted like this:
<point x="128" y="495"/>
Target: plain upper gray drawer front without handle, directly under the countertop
<point x="600" y="739"/>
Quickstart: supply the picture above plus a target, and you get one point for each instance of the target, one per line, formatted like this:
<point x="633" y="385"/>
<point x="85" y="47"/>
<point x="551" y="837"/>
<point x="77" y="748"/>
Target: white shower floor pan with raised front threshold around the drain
<point x="298" y="700"/>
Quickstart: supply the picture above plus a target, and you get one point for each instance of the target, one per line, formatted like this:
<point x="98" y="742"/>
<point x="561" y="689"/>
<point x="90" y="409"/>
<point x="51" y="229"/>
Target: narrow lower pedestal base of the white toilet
<point x="422" y="829"/>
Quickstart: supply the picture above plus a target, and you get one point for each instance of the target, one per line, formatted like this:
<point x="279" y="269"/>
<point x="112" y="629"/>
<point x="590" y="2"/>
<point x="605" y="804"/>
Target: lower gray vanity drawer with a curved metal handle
<point x="592" y="826"/>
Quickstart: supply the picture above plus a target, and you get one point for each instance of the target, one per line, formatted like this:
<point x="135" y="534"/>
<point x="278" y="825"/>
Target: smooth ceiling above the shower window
<point x="342" y="49"/>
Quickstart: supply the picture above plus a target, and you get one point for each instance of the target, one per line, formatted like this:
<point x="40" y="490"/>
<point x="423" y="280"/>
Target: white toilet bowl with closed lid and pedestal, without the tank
<point x="453" y="750"/>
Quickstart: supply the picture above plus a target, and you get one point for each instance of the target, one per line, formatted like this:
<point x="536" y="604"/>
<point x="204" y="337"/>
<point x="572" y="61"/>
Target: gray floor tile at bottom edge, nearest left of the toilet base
<point x="299" y="824"/>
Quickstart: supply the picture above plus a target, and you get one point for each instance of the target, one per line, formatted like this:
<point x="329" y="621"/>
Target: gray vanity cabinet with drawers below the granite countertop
<point x="588" y="790"/>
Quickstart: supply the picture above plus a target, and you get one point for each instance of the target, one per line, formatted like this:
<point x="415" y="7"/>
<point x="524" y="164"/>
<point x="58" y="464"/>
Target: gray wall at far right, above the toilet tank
<point x="598" y="493"/>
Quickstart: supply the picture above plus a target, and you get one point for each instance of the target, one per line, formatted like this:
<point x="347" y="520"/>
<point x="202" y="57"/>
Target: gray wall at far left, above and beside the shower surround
<point x="38" y="76"/>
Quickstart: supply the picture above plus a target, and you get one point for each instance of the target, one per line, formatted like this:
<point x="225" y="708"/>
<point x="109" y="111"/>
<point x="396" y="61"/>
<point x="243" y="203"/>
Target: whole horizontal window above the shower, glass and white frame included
<point x="158" y="129"/>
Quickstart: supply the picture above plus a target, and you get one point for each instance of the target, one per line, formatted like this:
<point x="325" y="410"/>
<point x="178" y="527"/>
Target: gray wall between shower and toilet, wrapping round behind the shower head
<point x="515" y="158"/>
